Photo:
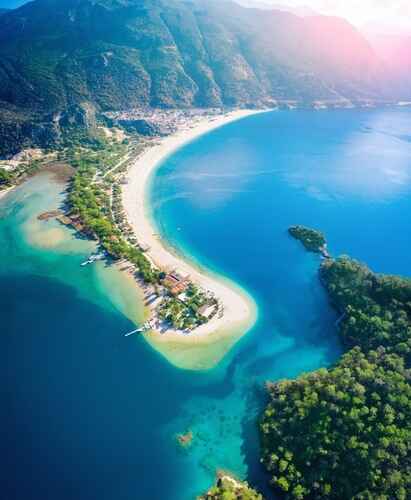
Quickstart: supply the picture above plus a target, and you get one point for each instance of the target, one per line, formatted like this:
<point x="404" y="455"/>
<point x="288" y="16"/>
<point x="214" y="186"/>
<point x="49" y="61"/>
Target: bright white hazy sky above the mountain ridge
<point x="391" y="14"/>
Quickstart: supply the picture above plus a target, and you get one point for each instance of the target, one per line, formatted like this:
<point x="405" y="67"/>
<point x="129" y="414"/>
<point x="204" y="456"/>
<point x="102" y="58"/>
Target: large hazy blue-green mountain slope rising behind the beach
<point x="117" y="54"/>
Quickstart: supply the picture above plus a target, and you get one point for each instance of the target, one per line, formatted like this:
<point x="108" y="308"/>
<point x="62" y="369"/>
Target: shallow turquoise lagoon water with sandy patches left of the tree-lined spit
<point x="58" y="251"/>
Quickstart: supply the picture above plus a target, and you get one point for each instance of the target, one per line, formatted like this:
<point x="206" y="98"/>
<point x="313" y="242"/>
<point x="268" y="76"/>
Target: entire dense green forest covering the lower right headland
<point x="345" y="432"/>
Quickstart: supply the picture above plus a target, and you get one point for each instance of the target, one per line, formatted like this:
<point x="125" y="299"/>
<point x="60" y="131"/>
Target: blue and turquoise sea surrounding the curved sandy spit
<point x="86" y="414"/>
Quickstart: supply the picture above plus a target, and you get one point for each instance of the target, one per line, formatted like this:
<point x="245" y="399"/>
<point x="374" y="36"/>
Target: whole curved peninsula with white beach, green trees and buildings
<point x="193" y="316"/>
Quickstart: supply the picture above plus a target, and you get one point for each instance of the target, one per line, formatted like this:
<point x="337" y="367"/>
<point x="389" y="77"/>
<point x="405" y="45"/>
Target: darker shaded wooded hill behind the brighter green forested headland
<point x="376" y="308"/>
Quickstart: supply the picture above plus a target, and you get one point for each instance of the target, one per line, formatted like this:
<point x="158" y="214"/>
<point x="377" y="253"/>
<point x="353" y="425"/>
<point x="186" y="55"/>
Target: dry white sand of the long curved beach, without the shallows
<point x="239" y="309"/>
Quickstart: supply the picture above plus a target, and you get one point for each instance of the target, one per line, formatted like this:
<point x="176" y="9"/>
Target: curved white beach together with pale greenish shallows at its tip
<point x="205" y="346"/>
